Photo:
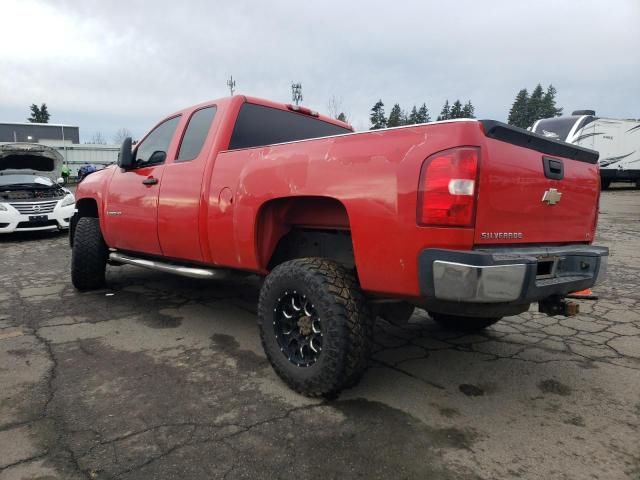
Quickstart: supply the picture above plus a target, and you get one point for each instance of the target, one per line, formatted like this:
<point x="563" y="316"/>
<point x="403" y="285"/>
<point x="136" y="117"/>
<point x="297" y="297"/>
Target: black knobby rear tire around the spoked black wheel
<point x="342" y="301"/>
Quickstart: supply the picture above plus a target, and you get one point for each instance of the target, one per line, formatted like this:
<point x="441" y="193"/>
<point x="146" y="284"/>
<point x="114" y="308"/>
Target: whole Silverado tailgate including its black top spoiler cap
<point x="533" y="190"/>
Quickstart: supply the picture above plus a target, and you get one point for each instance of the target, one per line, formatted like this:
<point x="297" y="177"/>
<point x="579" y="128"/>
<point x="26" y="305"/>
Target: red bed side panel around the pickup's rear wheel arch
<point x="374" y="175"/>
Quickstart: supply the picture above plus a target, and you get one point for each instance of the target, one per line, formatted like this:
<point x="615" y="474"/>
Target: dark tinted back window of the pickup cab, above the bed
<point x="258" y="125"/>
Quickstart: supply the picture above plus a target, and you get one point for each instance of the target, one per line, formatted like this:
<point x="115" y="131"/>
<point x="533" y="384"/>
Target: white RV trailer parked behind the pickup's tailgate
<point x="617" y="141"/>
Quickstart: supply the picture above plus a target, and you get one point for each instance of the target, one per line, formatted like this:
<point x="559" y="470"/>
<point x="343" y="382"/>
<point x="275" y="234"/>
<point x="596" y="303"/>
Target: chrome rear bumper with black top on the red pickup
<point x="515" y="276"/>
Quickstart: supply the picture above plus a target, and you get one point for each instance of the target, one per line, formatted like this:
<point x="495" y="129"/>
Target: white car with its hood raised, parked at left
<point x="31" y="197"/>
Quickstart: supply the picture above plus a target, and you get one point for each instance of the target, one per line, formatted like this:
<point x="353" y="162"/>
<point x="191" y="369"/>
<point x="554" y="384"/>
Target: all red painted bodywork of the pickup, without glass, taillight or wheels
<point x="226" y="208"/>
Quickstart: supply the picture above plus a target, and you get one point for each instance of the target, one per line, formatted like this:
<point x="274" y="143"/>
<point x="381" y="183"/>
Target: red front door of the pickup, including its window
<point x="131" y="220"/>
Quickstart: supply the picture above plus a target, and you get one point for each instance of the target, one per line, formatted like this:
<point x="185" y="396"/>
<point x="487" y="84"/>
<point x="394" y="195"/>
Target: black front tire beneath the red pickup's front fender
<point x="89" y="255"/>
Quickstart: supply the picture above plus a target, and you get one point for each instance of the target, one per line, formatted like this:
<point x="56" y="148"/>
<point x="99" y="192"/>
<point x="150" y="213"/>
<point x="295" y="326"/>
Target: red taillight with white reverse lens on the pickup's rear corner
<point x="448" y="188"/>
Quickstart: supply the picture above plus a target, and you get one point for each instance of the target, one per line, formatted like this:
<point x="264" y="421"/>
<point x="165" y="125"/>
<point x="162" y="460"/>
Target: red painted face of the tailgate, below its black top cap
<point x="513" y="203"/>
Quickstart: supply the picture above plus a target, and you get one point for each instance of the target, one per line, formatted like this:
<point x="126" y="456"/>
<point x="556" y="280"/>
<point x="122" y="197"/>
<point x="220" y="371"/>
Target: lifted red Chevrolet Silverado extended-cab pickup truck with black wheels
<point x="471" y="220"/>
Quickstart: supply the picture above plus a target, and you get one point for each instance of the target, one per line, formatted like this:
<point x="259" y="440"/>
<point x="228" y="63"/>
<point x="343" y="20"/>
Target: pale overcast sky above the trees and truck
<point x="103" y="65"/>
